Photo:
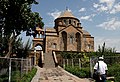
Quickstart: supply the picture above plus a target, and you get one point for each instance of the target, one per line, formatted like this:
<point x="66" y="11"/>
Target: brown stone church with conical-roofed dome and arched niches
<point x="66" y="35"/>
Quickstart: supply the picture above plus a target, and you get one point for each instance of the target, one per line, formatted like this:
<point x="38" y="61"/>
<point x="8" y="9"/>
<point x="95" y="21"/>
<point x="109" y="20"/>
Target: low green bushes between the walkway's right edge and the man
<point x="82" y="73"/>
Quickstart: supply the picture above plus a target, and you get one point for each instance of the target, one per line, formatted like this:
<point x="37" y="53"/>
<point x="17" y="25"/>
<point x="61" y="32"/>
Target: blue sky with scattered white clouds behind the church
<point x="101" y="18"/>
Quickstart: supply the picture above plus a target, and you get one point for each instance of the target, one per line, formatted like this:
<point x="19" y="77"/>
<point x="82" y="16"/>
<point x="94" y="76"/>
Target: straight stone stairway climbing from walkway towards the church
<point x="48" y="61"/>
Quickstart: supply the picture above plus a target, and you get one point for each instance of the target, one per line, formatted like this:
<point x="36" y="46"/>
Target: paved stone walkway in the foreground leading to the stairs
<point x="56" y="75"/>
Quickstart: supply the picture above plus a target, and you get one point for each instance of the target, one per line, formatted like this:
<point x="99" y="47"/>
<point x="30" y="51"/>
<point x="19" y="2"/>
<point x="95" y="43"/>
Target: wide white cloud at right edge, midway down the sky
<point x="112" y="24"/>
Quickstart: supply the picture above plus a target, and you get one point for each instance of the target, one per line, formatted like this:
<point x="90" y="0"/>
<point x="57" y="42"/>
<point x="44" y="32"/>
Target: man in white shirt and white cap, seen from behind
<point x="101" y="67"/>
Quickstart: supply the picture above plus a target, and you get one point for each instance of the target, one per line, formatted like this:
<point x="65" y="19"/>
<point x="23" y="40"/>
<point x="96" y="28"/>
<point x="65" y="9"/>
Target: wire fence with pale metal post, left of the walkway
<point x="14" y="68"/>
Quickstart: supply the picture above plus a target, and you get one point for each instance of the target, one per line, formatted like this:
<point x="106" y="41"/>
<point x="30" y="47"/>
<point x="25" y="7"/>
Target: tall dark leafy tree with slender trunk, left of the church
<point x="15" y="17"/>
